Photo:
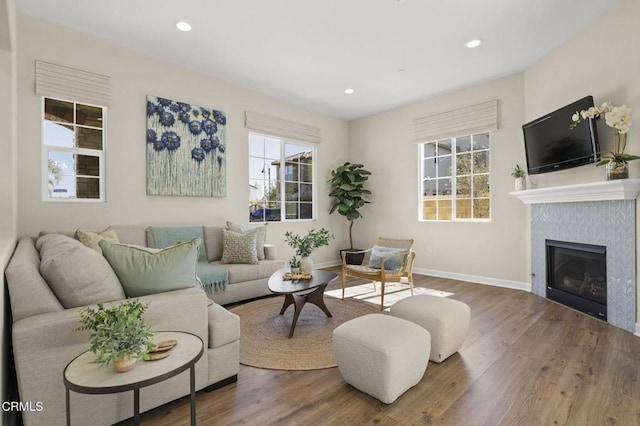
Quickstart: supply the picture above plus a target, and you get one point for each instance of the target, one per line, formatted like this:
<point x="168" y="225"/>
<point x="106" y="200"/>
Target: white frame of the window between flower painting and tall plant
<point x="282" y="201"/>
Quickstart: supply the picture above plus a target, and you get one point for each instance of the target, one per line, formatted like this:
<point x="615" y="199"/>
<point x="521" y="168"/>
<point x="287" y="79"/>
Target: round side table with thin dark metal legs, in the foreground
<point x="83" y="376"/>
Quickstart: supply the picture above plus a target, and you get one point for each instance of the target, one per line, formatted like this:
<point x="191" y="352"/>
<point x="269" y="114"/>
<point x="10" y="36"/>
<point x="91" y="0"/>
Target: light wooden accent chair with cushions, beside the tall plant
<point x="389" y="260"/>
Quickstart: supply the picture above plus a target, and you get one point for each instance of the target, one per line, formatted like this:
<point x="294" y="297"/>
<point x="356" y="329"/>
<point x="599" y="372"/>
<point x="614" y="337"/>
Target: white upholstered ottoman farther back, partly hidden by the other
<point x="446" y="319"/>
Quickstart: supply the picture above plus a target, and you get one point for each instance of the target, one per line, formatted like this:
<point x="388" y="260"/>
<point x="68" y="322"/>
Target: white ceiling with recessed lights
<point x="307" y="52"/>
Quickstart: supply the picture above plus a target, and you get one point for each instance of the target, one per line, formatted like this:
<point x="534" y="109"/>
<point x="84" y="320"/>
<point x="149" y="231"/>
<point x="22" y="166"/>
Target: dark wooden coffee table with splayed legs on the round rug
<point x="300" y="292"/>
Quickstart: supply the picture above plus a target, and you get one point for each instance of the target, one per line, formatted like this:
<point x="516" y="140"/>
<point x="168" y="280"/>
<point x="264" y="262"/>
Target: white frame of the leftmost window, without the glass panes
<point x="101" y="154"/>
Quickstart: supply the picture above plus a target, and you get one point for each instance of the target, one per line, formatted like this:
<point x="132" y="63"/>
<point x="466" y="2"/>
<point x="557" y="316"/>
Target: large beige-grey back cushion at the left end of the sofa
<point x="76" y="274"/>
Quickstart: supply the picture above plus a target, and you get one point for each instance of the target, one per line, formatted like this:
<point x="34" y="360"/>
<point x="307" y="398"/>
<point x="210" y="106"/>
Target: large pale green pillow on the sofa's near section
<point x="143" y="270"/>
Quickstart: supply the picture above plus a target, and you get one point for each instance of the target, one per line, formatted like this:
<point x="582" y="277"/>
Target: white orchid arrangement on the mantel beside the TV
<point x="618" y="118"/>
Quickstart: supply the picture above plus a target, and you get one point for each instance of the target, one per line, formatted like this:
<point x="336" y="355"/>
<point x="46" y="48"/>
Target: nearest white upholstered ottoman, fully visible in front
<point x="381" y="355"/>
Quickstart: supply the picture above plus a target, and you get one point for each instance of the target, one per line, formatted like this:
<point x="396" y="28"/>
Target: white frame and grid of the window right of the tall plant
<point x="454" y="196"/>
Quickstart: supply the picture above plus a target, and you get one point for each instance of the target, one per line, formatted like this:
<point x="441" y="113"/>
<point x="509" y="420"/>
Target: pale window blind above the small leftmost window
<point x="70" y="84"/>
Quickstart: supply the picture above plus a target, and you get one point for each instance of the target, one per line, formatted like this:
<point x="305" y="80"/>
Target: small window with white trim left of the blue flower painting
<point x="73" y="151"/>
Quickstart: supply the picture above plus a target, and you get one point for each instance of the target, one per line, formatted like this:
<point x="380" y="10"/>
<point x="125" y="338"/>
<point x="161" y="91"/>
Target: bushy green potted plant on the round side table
<point x="118" y="334"/>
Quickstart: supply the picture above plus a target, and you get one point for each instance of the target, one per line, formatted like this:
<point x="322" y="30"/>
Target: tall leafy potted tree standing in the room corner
<point x="347" y="188"/>
